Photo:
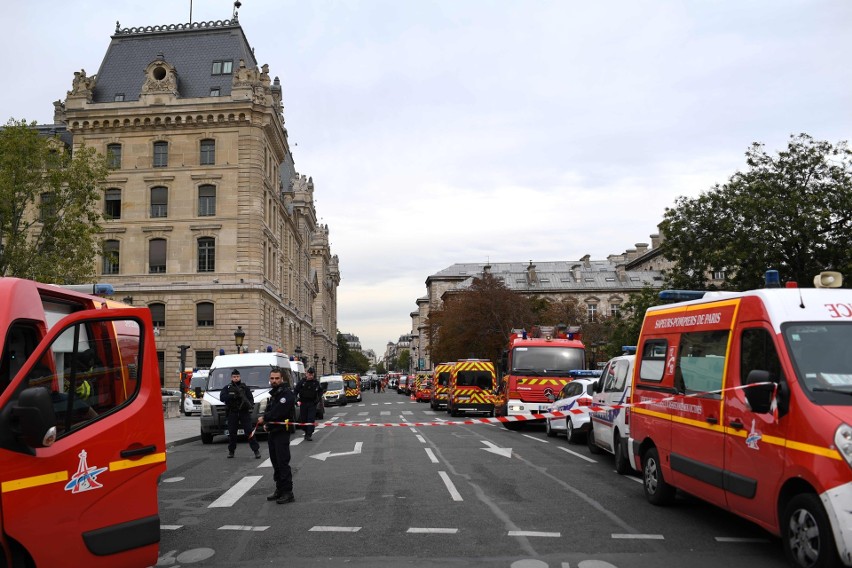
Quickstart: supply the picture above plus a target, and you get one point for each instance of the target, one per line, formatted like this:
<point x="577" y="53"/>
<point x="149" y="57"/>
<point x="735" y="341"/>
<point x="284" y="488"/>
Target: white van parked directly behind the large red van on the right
<point x="610" y="428"/>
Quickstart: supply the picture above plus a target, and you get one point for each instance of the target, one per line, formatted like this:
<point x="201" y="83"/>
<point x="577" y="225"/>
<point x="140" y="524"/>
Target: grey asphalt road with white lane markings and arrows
<point x="459" y="495"/>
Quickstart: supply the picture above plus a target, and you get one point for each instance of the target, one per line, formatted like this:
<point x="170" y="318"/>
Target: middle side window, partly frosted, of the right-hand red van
<point x="701" y="360"/>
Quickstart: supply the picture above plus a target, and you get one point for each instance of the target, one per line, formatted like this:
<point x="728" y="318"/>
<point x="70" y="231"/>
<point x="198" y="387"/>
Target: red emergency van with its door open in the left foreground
<point x="82" y="439"/>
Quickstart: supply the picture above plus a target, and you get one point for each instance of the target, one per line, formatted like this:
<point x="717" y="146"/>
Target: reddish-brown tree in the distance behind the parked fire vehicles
<point x="476" y="322"/>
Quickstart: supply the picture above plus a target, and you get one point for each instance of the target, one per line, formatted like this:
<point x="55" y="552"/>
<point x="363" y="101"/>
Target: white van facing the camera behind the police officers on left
<point x="254" y="372"/>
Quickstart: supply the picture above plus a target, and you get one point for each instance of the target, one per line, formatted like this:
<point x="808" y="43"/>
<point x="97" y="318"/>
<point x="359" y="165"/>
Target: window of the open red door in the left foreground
<point x="90" y="370"/>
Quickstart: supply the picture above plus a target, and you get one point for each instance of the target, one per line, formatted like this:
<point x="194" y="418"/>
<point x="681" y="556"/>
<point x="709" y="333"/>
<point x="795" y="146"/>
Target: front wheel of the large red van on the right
<point x="806" y="533"/>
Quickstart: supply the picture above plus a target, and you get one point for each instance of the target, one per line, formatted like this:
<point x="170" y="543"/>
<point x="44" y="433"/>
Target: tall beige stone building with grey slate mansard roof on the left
<point x="208" y="222"/>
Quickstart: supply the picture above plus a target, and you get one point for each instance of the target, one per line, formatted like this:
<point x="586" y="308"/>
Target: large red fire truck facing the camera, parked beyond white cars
<point x="535" y="365"/>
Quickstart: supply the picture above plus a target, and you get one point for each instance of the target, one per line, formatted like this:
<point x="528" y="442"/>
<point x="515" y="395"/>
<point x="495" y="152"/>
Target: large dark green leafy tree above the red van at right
<point x="791" y="212"/>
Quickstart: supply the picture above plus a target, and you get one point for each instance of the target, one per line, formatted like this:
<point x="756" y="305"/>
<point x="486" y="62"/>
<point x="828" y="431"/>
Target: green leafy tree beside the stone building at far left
<point x="49" y="218"/>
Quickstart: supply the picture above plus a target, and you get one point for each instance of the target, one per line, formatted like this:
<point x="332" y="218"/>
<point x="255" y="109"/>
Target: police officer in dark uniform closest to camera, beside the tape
<point x="280" y="408"/>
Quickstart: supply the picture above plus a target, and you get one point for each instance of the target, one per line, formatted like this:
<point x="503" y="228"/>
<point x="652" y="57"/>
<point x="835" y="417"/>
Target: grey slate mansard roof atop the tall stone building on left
<point x="190" y="48"/>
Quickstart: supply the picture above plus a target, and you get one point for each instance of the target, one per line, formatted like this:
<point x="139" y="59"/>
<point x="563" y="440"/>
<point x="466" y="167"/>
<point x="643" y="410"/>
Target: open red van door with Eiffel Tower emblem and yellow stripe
<point x="90" y="498"/>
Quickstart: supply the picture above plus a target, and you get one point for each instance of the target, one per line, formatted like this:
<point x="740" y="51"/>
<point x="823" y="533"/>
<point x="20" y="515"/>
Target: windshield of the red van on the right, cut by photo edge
<point x="823" y="360"/>
